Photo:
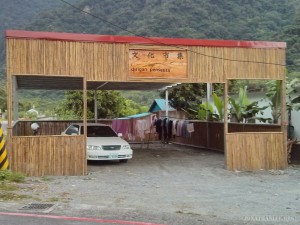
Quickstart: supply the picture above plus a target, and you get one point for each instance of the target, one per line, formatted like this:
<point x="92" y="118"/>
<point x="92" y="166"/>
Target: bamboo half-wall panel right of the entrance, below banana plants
<point x="255" y="151"/>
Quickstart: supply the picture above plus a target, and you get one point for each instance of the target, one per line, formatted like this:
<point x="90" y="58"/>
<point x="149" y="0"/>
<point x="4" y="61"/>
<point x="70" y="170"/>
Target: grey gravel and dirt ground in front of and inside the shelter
<point x="171" y="184"/>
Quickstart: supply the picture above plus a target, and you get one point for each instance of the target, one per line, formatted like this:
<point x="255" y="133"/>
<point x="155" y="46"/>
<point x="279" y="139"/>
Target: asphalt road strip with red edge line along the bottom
<point x="132" y="218"/>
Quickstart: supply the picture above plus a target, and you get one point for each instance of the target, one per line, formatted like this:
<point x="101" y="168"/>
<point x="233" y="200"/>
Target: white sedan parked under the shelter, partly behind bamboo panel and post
<point x="103" y="143"/>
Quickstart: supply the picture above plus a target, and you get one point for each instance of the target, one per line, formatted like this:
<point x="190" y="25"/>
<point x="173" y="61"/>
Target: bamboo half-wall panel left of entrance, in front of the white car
<point x="48" y="155"/>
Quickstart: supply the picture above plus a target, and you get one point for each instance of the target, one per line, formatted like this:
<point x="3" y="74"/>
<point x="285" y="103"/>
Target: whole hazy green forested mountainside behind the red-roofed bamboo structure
<point x="267" y="20"/>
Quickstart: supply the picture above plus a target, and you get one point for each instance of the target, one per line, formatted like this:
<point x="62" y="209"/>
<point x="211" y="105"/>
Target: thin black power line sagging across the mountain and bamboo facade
<point x="161" y="43"/>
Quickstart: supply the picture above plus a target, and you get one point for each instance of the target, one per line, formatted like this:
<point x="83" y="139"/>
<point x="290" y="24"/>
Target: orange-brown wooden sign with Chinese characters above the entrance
<point x="157" y="63"/>
